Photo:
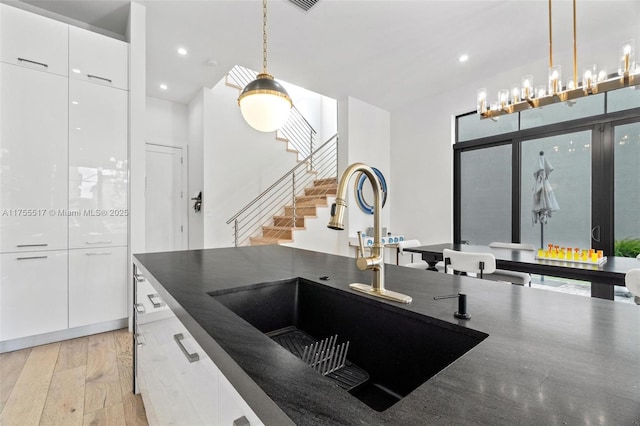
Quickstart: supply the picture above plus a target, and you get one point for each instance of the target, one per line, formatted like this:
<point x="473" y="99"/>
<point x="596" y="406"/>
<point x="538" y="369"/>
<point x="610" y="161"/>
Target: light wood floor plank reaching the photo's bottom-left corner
<point x="26" y="402"/>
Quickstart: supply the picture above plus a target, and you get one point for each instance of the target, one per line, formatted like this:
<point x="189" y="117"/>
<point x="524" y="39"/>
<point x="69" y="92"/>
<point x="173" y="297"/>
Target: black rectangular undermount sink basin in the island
<point x="399" y="349"/>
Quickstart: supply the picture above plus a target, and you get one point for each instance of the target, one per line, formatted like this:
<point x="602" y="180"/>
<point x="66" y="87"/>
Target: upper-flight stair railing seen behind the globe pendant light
<point x="297" y="131"/>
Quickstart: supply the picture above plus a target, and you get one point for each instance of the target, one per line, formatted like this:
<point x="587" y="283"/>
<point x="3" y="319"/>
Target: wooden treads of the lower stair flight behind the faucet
<point x="293" y="219"/>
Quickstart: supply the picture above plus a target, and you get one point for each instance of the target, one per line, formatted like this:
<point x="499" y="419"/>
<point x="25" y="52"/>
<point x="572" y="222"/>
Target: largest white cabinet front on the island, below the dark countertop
<point x="179" y="391"/>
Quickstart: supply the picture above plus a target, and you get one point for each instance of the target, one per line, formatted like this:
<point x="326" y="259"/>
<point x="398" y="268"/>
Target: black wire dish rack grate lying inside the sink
<point x="325" y="356"/>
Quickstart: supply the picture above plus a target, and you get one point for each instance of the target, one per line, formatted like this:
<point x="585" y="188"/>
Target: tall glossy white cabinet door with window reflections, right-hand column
<point x="97" y="165"/>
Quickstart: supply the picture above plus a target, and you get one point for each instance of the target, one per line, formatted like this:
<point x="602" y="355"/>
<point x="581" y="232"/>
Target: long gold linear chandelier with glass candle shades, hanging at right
<point x="594" y="80"/>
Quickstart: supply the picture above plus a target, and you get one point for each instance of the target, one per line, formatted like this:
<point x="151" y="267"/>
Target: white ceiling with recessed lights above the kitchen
<point x="388" y="53"/>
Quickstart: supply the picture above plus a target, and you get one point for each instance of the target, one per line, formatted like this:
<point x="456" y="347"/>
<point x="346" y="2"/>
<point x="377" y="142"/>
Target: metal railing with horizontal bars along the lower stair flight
<point x="319" y="164"/>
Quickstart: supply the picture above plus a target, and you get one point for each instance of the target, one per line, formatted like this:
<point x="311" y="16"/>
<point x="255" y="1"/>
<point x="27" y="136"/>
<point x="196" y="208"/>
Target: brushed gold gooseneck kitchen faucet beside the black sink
<point x="374" y="262"/>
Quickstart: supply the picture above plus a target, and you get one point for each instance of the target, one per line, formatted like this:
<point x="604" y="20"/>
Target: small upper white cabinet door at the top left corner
<point x="33" y="41"/>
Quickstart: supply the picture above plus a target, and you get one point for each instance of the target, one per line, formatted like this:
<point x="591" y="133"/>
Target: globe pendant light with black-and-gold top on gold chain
<point x="264" y="103"/>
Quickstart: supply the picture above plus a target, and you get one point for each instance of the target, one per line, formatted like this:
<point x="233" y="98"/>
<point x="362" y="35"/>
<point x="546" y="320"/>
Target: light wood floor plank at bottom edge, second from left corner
<point x="65" y="401"/>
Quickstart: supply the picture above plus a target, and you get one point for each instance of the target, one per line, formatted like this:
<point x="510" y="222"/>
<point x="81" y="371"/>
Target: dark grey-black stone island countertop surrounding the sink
<point x="550" y="358"/>
